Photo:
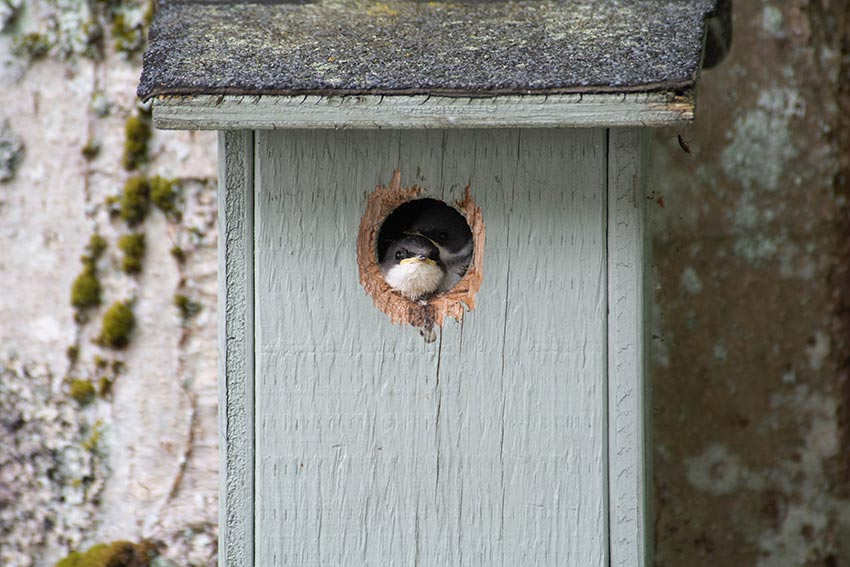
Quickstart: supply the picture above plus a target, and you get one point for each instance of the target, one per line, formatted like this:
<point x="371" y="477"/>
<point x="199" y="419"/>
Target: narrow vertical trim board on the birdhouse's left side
<point x="236" y="349"/>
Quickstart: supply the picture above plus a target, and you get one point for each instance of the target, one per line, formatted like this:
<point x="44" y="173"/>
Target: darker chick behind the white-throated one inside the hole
<point x="449" y="232"/>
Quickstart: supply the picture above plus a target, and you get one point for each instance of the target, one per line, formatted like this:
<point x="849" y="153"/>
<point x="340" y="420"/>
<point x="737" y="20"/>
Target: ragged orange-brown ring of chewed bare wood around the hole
<point x="433" y="310"/>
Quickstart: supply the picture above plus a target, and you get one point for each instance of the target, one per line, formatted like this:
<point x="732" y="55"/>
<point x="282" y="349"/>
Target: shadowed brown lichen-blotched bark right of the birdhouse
<point x="750" y="357"/>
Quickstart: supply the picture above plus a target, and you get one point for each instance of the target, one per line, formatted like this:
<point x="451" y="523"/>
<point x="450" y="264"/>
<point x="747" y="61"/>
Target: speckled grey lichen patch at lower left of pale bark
<point x="49" y="482"/>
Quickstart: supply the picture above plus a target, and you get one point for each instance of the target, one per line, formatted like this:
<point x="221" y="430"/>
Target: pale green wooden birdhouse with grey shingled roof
<point x="496" y="418"/>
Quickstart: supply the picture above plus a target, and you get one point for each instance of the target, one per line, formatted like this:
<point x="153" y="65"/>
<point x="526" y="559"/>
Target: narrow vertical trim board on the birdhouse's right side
<point x="630" y="492"/>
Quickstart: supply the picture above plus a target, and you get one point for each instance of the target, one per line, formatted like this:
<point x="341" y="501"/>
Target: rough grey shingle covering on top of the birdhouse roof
<point x="473" y="48"/>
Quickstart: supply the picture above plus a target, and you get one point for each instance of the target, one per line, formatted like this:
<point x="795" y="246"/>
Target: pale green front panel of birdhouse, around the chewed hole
<point x="486" y="448"/>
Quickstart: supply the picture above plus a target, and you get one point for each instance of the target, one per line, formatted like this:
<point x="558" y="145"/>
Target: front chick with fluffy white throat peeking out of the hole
<point x="412" y="266"/>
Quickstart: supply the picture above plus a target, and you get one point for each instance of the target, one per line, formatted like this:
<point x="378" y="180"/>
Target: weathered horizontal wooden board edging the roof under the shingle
<point x="230" y="112"/>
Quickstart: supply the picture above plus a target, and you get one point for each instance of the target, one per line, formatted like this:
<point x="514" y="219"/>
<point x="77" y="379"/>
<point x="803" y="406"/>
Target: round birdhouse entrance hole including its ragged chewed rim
<point x="401" y="217"/>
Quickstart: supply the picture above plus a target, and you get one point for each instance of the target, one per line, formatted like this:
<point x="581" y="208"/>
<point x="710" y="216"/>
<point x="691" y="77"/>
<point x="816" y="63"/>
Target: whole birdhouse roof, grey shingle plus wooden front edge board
<point x="413" y="64"/>
